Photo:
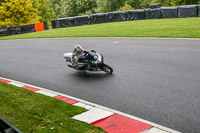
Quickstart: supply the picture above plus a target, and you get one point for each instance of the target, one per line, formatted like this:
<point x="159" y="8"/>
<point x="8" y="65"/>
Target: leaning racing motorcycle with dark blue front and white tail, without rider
<point x="92" y="61"/>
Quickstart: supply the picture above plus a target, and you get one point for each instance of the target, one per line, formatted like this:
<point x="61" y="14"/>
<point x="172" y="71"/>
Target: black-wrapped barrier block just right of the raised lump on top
<point x="169" y="12"/>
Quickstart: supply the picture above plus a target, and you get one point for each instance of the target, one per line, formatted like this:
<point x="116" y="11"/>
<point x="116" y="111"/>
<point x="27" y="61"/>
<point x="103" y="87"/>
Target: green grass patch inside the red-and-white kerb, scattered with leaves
<point x="32" y="112"/>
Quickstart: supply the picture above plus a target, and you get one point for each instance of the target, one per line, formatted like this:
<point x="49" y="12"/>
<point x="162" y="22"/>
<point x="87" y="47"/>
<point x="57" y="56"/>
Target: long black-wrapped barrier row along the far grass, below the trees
<point x="154" y="12"/>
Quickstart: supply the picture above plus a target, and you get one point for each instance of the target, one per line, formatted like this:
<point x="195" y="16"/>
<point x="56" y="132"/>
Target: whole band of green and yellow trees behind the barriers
<point x="24" y="12"/>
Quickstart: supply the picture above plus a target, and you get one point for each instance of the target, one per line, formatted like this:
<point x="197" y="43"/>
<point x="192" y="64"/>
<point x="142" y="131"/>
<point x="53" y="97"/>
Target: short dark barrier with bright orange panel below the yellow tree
<point x="5" y="31"/>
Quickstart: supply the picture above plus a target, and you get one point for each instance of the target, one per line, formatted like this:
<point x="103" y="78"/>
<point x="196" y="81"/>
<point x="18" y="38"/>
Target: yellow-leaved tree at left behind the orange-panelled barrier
<point x="17" y="12"/>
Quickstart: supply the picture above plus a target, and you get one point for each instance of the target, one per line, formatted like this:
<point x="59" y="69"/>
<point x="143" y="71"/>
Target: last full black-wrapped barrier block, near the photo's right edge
<point x="187" y="11"/>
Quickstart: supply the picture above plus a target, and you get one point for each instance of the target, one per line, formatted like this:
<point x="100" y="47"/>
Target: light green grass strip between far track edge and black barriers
<point x="175" y="28"/>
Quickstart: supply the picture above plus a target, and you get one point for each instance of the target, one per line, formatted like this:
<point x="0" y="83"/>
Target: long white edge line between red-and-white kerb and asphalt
<point x="99" y="106"/>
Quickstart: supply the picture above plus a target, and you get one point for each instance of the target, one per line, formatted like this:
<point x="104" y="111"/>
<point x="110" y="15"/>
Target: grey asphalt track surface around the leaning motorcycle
<point x="154" y="79"/>
